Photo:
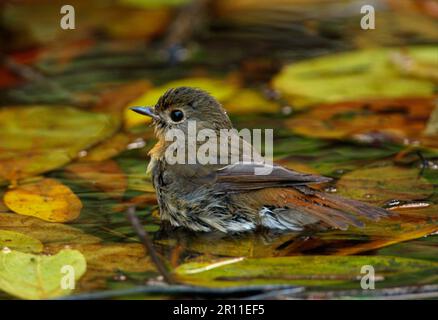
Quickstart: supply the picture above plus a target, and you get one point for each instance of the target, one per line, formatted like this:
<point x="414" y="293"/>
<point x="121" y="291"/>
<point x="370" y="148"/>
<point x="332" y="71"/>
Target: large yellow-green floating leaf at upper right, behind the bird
<point x="353" y="75"/>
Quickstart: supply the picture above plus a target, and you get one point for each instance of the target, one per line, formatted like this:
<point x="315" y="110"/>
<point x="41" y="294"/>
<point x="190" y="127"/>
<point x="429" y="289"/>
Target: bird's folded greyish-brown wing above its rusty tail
<point x="241" y="177"/>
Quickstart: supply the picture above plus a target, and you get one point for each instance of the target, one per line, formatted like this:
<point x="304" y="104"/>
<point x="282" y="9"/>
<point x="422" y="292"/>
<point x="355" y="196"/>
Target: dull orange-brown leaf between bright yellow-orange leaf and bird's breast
<point x="106" y="176"/>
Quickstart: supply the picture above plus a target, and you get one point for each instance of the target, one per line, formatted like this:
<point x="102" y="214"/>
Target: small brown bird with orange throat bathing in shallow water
<point x="232" y="198"/>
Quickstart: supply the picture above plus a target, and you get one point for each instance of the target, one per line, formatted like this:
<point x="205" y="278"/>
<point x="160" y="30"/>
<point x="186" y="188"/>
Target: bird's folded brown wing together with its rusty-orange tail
<point x="285" y="195"/>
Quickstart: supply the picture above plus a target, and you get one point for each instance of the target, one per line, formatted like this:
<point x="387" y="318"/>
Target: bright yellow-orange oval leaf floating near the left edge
<point x="46" y="199"/>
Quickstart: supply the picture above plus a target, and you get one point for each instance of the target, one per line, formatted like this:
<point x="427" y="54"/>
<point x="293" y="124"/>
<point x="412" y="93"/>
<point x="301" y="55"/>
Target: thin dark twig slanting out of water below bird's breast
<point x="147" y="243"/>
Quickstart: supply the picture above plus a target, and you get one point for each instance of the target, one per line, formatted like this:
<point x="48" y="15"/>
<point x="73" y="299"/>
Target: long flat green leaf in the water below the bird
<point x="328" y="271"/>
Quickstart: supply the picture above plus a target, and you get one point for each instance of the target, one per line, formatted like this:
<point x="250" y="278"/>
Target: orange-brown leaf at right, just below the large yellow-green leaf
<point x="388" y="120"/>
